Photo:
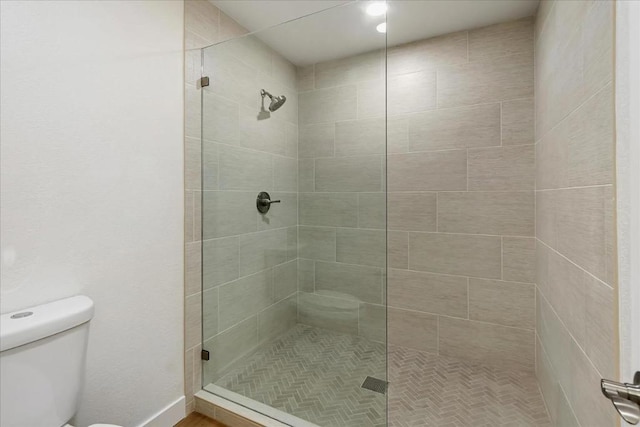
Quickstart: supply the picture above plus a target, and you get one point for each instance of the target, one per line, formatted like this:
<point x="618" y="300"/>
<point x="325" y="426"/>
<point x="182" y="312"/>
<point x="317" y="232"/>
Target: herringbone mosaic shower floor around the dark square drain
<point x="316" y="375"/>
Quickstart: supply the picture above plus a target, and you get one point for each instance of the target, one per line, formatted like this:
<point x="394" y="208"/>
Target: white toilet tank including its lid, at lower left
<point x="42" y="359"/>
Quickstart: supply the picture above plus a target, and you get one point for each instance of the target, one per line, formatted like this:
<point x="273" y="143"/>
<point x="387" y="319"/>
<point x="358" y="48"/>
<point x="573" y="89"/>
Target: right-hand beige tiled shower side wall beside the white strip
<point x="575" y="270"/>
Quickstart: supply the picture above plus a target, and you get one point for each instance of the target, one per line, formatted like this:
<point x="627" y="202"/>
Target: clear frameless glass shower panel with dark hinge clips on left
<point x="294" y="219"/>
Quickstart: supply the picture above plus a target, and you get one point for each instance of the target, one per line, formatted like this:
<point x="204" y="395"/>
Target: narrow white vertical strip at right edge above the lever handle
<point x="628" y="176"/>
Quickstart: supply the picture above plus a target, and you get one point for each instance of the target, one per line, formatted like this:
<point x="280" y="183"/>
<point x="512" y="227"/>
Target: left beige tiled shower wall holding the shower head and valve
<point x="248" y="261"/>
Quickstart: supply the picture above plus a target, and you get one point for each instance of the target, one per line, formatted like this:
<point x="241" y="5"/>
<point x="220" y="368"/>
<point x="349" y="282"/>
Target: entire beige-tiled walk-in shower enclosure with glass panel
<point x="392" y="231"/>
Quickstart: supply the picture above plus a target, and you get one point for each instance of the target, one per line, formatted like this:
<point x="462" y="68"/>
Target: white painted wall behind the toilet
<point x="92" y="186"/>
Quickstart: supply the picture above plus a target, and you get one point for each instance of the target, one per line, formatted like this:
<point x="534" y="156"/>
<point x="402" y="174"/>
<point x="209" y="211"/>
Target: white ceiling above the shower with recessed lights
<point x="344" y="29"/>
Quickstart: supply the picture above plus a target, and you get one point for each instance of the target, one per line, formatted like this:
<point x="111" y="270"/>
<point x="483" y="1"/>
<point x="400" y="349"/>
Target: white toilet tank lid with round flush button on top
<point x="35" y="323"/>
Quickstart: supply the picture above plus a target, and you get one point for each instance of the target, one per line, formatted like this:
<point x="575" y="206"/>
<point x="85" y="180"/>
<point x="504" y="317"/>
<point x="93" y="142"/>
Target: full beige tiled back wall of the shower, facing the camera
<point x="461" y="203"/>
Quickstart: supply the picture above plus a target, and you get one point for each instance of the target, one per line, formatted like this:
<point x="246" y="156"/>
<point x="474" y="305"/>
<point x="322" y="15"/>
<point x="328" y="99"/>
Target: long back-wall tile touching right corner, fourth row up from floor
<point x="508" y="213"/>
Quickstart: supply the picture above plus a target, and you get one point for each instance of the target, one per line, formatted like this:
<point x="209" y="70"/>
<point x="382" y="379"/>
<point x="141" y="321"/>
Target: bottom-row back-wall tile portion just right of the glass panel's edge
<point x="413" y="329"/>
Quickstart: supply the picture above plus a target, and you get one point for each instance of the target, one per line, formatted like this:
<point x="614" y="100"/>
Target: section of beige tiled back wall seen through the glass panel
<point x="341" y="178"/>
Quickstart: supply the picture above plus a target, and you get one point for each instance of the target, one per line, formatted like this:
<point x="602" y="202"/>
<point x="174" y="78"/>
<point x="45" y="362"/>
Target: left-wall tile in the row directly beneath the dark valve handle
<point x="262" y="250"/>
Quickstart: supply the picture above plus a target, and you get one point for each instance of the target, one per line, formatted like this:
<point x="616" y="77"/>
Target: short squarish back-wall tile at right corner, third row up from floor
<point x="519" y="259"/>
